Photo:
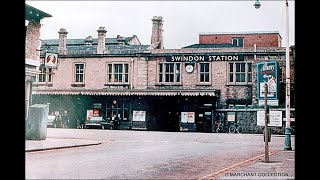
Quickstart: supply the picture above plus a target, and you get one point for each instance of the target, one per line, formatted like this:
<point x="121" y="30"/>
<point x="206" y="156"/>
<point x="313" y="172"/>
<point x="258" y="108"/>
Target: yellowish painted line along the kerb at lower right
<point x="220" y="173"/>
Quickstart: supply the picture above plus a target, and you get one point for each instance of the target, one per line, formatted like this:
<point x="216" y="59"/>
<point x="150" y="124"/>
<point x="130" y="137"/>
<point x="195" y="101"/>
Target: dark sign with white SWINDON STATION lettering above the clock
<point x="202" y="58"/>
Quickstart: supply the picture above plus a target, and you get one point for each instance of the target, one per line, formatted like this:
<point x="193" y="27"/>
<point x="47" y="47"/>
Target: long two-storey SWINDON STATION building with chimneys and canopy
<point x="174" y="89"/>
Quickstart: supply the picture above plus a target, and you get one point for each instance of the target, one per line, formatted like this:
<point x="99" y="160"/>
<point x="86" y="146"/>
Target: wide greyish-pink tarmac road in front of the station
<point x="147" y="154"/>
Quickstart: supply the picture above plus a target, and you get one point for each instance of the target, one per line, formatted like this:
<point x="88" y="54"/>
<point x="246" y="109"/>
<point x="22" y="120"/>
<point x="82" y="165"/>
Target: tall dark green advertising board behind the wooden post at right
<point x="268" y="72"/>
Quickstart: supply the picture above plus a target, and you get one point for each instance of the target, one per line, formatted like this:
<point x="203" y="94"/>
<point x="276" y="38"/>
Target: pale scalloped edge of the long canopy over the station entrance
<point x="135" y="92"/>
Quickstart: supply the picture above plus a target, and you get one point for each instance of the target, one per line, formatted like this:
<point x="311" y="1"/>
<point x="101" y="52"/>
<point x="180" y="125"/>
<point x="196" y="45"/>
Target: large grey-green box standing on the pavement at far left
<point x="36" y="126"/>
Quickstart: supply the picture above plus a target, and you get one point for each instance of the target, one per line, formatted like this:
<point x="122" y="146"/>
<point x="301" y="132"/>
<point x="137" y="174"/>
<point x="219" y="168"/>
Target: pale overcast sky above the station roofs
<point x="183" y="20"/>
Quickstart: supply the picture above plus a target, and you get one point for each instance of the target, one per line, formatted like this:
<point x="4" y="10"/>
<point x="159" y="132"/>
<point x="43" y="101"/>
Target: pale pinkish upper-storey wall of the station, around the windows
<point x="144" y="74"/>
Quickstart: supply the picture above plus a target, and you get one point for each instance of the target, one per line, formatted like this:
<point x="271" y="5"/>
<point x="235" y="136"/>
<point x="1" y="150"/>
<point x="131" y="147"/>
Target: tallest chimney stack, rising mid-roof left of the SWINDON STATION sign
<point x="156" y="37"/>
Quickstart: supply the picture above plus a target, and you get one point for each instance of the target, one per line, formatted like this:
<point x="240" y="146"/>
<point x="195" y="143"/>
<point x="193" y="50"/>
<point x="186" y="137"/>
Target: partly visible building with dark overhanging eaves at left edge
<point x="33" y="18"/>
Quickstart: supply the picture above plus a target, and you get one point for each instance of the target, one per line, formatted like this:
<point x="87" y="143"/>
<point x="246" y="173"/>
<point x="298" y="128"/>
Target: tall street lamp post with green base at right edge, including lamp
<point x="257" y="5"/>
